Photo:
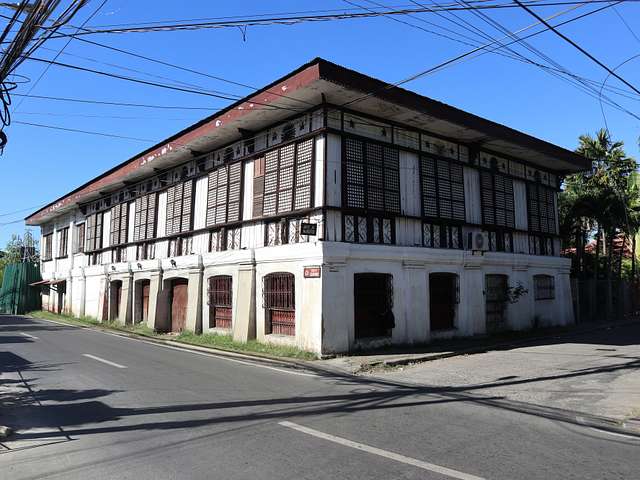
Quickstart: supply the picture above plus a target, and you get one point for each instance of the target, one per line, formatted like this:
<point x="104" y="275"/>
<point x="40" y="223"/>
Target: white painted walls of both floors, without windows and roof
<point x="324" y="306"/>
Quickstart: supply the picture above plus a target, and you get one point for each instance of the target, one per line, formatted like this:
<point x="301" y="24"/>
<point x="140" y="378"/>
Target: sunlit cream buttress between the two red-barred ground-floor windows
<point x="244" y="304"/>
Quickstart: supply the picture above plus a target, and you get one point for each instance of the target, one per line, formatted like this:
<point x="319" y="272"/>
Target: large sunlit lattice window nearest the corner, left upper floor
<point x="287" y="179"/>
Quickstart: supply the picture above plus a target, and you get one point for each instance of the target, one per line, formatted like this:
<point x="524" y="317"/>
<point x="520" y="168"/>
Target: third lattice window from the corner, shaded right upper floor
<point x="497" y="199"/>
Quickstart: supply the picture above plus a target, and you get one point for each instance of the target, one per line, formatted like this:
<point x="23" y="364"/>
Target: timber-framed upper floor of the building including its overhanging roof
<point x="324" y="153"/>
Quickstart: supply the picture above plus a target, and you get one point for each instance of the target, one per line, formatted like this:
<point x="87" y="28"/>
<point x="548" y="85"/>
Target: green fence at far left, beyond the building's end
<point x="16" y="296"/>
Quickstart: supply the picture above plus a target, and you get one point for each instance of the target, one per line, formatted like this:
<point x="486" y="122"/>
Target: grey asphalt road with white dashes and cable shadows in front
<point x="91" y="405"/>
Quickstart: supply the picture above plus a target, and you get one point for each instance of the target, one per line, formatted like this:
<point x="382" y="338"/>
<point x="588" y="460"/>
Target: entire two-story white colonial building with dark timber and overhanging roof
<point x="329" y="211"/>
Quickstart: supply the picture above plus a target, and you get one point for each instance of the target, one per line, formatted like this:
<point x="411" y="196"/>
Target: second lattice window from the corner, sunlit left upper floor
<point x="223" y="198"/>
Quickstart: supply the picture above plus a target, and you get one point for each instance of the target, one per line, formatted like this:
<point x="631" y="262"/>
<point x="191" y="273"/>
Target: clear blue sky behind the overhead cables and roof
<point x="39" y="165"/>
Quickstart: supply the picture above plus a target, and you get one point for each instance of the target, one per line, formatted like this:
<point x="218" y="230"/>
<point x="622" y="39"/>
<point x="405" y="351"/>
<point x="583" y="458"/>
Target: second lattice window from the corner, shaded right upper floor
<point x="442" y="185"/>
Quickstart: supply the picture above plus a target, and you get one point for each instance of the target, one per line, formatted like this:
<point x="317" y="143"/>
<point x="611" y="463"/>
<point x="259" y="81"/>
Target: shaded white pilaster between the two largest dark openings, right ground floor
<point x="415" y="297"/>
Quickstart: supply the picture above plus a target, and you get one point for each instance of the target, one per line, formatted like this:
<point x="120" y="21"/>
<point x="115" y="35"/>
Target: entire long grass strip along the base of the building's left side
<point x="223" y="342"/>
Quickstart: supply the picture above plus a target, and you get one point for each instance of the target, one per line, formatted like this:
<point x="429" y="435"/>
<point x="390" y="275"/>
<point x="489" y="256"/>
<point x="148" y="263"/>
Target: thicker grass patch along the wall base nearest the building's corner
<point x="226" y="342"/>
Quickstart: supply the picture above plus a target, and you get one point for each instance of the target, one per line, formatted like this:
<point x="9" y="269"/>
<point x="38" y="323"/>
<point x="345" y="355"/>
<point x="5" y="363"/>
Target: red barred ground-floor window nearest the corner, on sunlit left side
<point x="278" y="292"/>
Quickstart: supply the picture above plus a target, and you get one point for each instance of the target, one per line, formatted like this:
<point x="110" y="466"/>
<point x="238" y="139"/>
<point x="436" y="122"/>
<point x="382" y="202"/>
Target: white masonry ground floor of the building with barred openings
<point x="324" y="297"/>
